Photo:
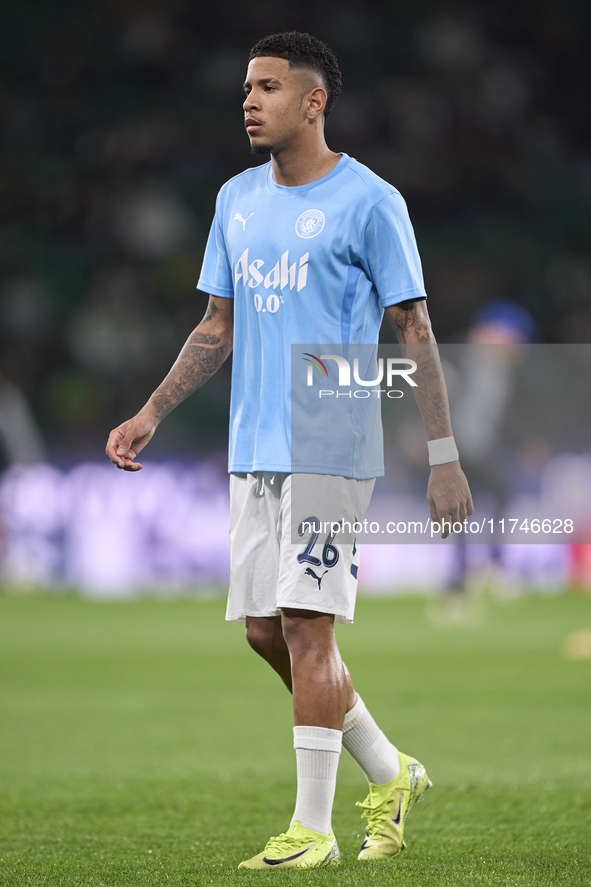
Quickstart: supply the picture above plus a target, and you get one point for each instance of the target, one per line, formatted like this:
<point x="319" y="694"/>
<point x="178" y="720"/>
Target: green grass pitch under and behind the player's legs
<point x="143" y="743"/>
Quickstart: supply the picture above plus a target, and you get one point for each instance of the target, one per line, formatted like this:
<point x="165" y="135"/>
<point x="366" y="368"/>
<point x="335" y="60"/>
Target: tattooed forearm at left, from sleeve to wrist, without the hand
<point x="202" y="355"/>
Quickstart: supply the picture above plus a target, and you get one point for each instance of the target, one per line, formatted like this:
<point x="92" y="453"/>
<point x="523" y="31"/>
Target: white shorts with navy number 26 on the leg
<point x="270" y="571"/>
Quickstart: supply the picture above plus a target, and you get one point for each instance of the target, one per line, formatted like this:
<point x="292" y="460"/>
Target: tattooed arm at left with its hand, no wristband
<point x="202" y="354"/>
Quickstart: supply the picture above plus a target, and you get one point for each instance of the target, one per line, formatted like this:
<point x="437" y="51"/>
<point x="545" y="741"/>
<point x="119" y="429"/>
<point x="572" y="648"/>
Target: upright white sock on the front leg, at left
<point x="317" y="756"/>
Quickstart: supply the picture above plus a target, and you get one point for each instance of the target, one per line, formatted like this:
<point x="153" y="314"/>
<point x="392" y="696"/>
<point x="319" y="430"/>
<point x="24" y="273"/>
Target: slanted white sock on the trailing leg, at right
<point x="368" y="745"/>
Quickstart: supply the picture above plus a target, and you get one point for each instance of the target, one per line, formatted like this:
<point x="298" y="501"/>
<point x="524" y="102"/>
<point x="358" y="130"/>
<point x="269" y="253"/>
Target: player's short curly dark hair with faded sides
<point x="304" y="51"/>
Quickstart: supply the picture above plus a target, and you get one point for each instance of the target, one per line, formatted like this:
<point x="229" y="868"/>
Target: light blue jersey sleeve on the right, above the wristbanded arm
<point x="392" y="256"/>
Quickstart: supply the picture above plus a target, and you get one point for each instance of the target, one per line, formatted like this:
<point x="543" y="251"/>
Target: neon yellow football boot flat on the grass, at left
<point x="299" y="848"/>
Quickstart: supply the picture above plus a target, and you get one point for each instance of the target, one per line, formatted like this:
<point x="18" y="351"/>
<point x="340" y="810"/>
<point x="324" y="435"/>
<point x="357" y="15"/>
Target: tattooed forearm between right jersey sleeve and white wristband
<point x="412" y="325"/>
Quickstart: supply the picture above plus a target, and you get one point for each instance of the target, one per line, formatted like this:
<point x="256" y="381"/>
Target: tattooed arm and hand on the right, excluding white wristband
<point x="448" y="493"/>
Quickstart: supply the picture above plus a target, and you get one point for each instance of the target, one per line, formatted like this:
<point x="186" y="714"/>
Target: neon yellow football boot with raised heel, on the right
<point x="386" y="808"/>
